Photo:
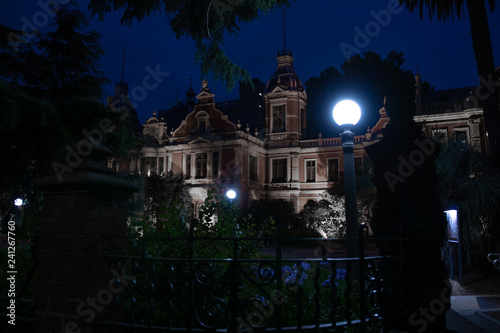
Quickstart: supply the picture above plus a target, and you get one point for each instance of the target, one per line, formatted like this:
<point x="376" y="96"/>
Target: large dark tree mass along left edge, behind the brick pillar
<point x="50" y="90"/>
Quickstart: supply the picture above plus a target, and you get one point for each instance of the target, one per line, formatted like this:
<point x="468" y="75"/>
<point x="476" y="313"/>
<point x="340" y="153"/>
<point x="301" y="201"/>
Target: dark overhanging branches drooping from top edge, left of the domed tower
<point x="206" y="22"/>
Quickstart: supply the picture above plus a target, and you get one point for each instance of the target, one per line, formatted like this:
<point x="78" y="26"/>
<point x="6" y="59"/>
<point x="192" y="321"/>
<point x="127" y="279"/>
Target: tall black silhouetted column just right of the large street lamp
<point x="416" y="292"/>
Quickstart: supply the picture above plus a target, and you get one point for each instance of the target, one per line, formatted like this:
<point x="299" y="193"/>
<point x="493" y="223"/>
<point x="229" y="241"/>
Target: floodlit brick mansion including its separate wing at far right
<point x="262" y="153"/>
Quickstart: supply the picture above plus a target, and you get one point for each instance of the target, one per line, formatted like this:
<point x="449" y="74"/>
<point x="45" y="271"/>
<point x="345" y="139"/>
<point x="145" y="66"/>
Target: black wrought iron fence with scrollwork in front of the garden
<point x="221" y="285"/>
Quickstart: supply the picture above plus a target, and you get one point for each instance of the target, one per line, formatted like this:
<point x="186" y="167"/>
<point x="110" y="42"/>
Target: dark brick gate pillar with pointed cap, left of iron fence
<point x="75" y="284"/>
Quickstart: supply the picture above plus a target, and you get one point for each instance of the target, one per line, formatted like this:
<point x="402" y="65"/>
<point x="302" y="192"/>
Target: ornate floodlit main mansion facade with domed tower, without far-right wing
<point x="272" y="162"/>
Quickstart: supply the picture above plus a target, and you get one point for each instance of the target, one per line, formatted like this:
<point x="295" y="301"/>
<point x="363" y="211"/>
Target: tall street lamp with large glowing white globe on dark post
<point x="346" y="114"/>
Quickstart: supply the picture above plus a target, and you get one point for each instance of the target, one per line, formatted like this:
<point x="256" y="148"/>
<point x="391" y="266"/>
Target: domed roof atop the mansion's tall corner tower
<point x="284" y="75"/>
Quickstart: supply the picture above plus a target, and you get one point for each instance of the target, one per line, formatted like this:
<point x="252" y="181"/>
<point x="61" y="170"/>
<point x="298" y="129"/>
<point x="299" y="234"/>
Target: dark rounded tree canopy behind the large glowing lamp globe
<point x="367" y="79"/>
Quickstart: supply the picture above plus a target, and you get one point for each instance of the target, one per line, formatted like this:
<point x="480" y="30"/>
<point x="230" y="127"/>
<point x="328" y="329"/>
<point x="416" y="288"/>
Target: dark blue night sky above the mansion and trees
<point x="315" y="30"/>
